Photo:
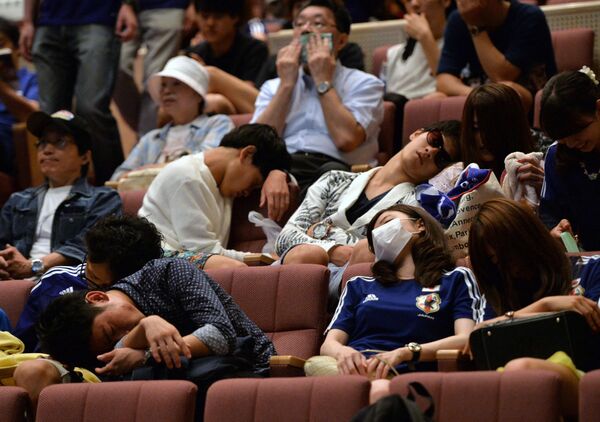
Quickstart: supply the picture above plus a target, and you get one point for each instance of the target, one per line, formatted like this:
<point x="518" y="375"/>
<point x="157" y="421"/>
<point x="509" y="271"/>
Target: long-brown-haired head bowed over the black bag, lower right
<point x="514" y="258"/>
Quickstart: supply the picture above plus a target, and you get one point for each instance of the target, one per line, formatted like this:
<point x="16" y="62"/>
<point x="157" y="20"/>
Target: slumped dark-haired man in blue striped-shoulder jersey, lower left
<point x="117" y="247"/>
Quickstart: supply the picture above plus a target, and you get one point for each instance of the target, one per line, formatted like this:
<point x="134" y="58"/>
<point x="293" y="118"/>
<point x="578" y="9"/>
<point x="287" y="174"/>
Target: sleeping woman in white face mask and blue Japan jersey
<point x="416" y="303"/>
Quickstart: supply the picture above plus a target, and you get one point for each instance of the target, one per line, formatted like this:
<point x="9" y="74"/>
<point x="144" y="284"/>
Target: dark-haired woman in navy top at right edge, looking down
<point x="571" y="194"/>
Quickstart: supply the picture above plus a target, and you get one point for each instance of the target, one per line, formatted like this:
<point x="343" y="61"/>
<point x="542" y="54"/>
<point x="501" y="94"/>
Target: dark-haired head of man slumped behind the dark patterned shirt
<point x="118" y="246"/>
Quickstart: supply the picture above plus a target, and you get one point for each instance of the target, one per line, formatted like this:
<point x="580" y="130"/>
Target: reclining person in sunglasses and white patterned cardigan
<point x="337" y="208"/>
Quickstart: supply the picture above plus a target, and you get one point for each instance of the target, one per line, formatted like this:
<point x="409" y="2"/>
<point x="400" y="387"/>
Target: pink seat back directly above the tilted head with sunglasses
<point x="423" y="112"/>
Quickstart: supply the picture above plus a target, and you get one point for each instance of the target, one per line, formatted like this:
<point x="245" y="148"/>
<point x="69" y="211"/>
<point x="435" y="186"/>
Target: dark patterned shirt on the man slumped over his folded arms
<point x="195" y="304"/>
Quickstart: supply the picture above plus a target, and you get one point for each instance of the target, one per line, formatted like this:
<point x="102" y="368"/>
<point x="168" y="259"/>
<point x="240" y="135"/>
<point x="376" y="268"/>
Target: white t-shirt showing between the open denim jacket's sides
<point x="43" y="230"/>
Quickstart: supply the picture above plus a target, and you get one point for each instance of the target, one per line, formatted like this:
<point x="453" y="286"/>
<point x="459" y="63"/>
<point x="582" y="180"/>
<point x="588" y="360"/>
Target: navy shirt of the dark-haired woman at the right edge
<point x="574" y="196"/>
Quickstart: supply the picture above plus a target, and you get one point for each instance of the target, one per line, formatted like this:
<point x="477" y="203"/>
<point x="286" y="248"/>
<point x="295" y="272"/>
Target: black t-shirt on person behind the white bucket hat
<point x="244" y="60"/>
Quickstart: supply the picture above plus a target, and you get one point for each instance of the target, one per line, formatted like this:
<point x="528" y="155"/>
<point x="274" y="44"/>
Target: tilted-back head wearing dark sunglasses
<point x="429" y="151"/>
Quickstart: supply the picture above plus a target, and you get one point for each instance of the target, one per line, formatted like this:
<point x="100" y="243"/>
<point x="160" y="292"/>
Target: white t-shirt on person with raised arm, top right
<point x="411" y="78"/>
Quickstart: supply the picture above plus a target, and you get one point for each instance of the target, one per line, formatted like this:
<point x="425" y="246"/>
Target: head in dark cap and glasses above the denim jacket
<point x="63" y="146"/>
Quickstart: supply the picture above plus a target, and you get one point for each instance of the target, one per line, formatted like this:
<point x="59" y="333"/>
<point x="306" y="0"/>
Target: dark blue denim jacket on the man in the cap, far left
<point x="84" y="205"/>
